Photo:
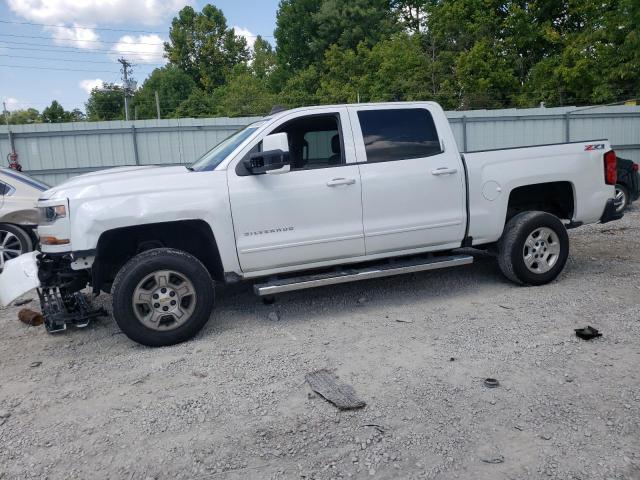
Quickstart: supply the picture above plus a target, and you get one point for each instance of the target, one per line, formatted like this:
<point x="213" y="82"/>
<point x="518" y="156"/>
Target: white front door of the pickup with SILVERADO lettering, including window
<point x="307" y="213"/>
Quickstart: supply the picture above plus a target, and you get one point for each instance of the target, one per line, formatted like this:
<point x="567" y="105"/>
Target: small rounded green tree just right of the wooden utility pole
<point x="173" y="85"/>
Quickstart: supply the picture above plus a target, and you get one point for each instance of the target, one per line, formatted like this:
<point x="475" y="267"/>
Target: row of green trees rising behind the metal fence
<point x="464" y="54"/>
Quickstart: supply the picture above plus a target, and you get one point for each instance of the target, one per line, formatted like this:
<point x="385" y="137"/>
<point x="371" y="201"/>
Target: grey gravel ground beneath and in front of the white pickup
<point x="233" y="403"/>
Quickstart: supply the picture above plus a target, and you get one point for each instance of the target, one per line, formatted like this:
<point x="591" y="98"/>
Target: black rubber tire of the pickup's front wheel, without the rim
<point x="145" y="264"/>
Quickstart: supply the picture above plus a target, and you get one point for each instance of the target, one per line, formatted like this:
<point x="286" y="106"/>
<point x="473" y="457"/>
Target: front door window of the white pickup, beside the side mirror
<point x="314" y="141"/>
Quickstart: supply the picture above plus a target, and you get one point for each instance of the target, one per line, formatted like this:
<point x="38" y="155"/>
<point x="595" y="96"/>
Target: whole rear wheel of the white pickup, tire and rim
<point x="533" y="249"/>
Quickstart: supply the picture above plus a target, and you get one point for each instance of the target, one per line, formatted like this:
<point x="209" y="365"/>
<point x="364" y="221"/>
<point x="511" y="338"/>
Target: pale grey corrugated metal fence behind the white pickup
<point x="55" y="152"/>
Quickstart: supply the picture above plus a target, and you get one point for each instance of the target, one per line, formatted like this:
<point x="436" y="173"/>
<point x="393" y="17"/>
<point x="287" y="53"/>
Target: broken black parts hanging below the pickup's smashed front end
<point x="61" y="298"/>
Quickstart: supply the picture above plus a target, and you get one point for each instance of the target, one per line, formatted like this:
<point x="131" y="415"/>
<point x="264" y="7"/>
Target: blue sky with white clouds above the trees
<point x="59" y="49"/>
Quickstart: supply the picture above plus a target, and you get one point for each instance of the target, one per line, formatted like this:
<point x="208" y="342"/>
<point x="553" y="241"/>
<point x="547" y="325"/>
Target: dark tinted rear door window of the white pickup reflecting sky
<point x="399" y="134"/>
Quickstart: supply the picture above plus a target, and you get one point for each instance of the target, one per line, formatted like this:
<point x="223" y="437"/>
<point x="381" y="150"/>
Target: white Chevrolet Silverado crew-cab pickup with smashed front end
<point x="306" y="197"/>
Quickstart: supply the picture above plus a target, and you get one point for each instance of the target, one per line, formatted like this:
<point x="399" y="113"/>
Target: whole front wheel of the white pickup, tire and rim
<point x="162" y="297"/>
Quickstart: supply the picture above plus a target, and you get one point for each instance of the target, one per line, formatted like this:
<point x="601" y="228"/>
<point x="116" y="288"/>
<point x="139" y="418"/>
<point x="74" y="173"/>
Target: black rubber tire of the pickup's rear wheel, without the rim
<point x="511" y="247"/>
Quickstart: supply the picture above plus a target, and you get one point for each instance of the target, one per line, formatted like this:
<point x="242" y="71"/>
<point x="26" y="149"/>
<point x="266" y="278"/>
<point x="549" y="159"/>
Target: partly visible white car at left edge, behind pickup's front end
<point x="18" y="213"/>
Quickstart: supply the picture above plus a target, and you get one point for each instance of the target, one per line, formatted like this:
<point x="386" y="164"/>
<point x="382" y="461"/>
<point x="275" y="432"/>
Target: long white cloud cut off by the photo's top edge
<point x="149" y="12"/>
